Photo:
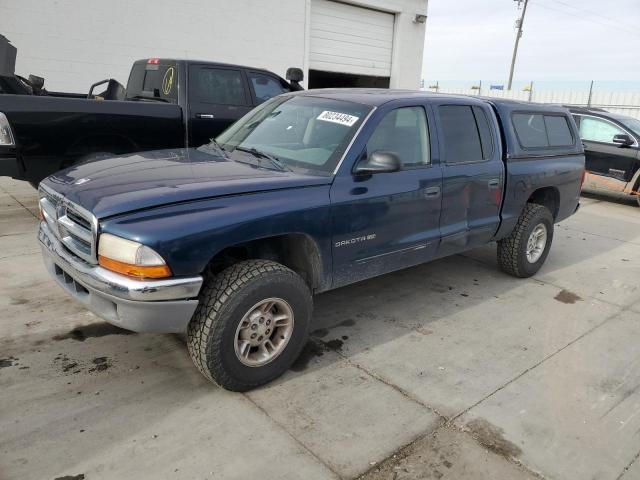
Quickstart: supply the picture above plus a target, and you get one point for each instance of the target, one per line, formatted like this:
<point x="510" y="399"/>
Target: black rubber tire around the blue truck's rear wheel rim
<point x="512" y="256"/>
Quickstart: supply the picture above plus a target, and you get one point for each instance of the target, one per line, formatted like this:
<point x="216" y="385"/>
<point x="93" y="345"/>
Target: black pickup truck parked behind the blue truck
<point x="167" y="103"/>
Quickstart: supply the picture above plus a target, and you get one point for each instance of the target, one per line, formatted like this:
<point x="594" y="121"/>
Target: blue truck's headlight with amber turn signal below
<point x="130" y="258"/>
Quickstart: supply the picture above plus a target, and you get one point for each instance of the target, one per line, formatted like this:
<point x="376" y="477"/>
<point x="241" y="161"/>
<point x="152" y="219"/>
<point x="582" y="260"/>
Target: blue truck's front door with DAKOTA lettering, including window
<point x="386" y="221"/>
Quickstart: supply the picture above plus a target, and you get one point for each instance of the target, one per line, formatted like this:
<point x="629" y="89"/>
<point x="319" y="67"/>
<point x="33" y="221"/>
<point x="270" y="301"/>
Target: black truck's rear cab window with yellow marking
<point x="151" y="81"/>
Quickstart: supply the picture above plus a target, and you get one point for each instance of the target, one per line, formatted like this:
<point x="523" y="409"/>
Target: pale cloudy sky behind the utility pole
<point x="563" y="42"/>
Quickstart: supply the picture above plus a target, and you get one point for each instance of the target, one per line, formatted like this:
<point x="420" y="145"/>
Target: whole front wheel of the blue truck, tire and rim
<point x="250" y="325"/>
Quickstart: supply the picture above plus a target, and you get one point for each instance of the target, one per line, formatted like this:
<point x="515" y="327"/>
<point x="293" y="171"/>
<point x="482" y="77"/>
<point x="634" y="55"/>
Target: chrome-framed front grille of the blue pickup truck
<point x="74" y="226"/>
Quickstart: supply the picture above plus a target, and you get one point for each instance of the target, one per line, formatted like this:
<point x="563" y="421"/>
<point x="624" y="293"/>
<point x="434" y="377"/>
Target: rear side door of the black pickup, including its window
<point x="218" y="96"/>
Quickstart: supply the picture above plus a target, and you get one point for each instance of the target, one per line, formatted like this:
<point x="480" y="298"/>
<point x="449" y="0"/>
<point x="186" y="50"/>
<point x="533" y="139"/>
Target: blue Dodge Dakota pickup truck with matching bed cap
<point x="307" y="192"/>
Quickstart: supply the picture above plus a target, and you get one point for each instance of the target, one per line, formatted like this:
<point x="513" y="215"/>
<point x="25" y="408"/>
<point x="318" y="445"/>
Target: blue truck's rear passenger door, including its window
<point x="473" y="175"/>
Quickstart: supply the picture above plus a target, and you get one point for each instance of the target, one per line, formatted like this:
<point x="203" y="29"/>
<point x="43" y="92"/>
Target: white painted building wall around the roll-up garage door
<point x="73" y="43"/>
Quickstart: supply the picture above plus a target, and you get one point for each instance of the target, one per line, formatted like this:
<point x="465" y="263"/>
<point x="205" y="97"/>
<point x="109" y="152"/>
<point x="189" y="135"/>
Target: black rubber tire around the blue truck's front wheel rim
<point x="224" y="300"/>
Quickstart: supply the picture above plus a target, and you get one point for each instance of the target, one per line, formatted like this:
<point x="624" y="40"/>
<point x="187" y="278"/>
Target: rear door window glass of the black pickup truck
<point x="217" y="85"/>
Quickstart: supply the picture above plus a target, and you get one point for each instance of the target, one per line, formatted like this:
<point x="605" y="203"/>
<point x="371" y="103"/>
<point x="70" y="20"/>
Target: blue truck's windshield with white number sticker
<point x="303" y="132"/>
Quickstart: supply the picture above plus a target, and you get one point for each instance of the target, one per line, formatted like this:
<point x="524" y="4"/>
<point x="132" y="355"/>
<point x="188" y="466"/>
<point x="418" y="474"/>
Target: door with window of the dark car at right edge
<point x="602" y="156"/>
